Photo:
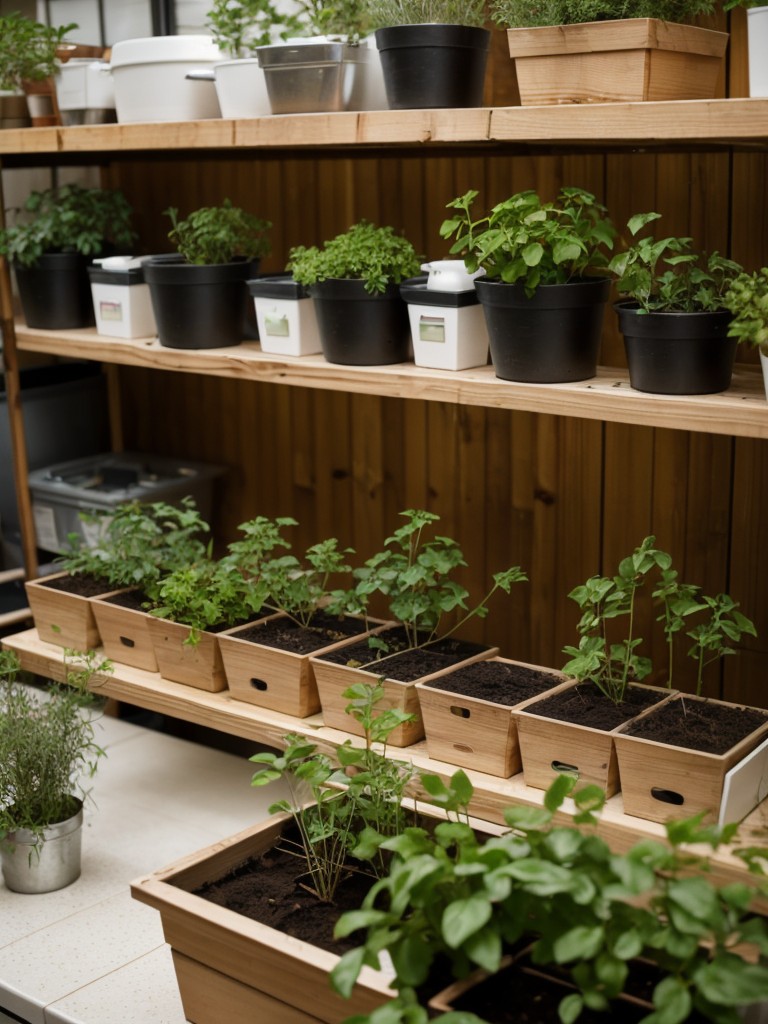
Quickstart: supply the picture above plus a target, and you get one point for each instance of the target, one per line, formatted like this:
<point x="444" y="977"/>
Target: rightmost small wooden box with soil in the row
<point x="674" y="759"/>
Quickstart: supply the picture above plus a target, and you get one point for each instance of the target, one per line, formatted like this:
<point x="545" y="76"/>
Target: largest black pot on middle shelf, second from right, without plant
<point x="552" y="337"/>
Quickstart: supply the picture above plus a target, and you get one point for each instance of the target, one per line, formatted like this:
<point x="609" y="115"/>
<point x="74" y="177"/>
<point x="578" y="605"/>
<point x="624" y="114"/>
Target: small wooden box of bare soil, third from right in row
<point x="467" y="713"/>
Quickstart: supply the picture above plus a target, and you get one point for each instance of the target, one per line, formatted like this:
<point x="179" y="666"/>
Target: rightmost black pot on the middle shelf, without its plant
<point x="677" y="354"/>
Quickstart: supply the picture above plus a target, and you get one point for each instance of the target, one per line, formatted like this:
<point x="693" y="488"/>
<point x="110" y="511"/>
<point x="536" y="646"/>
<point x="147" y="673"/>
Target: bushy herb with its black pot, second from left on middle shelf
<point x="199" y="295"/>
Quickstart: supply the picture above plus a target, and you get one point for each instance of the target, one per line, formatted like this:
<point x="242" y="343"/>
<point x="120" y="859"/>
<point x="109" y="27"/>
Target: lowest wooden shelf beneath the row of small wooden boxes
<point x="221" y="711"/>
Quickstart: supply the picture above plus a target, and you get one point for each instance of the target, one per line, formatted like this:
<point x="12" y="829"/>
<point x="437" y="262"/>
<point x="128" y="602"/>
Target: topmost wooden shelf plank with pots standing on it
<point x="679" y="123"/>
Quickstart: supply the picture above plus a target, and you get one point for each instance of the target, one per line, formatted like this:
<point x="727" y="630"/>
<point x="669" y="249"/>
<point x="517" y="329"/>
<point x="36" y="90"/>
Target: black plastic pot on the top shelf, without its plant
<point x="431" y="66"/>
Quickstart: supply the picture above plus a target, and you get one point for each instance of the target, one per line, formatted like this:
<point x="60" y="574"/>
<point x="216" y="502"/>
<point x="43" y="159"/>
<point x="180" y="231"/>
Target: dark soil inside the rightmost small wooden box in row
<point x="699" y="726"/>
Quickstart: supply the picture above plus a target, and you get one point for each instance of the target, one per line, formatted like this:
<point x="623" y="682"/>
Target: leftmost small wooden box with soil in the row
<point x="63" y="611"/>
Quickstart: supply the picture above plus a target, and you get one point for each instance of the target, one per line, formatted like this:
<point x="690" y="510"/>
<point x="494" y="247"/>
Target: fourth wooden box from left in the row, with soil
<point x="269" y="663"/>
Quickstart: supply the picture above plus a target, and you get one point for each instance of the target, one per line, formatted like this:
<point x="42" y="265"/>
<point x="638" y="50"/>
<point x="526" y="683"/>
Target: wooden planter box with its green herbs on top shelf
<point x="582" y="52"/>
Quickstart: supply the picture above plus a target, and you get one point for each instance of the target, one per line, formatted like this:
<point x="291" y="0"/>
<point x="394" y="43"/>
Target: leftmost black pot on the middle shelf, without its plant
<point x="57" y="293"/>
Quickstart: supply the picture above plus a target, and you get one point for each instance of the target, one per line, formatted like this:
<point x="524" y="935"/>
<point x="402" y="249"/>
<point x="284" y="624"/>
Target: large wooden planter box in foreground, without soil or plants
<point x="235" y="970"/>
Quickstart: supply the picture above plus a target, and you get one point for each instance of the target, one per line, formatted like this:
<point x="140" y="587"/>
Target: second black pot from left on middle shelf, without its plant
<point x="200" y="307"/>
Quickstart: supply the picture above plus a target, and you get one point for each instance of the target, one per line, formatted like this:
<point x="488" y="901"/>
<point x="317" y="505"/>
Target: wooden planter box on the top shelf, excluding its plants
<point x="623" y="61"/>
